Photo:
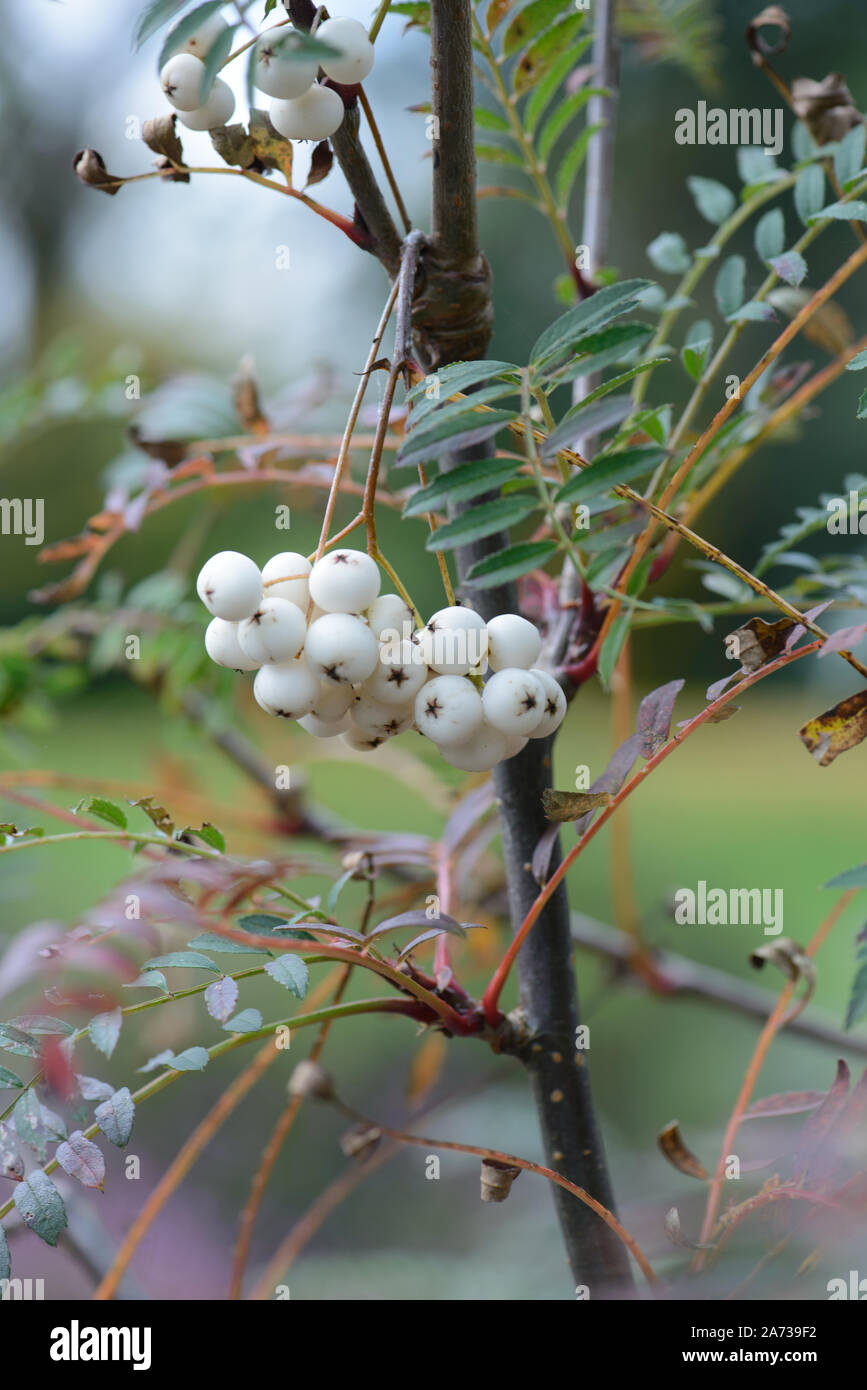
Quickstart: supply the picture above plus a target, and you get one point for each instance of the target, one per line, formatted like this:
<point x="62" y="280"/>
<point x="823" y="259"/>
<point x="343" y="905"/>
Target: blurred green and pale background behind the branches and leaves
<point x="172" y="280"/>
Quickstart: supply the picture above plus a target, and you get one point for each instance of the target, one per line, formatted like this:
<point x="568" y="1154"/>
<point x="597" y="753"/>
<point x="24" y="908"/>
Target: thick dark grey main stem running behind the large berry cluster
<point x="454" y="322"/>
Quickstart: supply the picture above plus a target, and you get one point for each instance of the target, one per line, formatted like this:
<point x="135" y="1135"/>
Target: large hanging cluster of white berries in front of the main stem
<point x="342" y="660"/>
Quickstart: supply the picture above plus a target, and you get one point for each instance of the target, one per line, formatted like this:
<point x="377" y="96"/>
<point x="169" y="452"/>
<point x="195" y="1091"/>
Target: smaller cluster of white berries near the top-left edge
<point x="302" y="109"/>
